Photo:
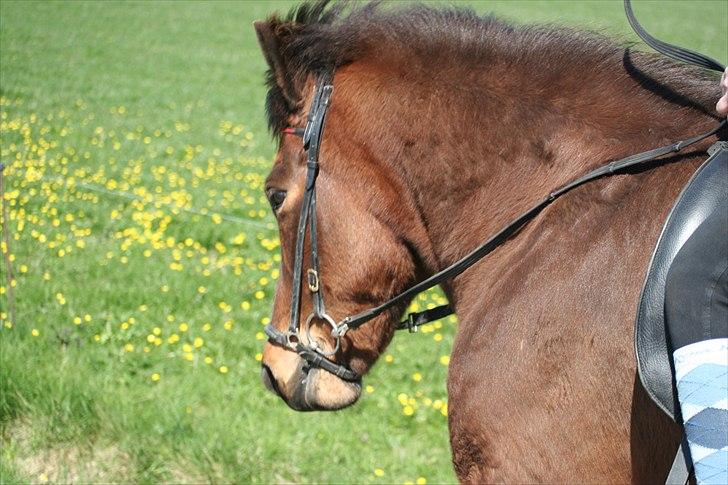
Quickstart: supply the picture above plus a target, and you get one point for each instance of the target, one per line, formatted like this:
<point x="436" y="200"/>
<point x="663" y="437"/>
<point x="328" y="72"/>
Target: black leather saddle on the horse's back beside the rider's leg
<point x="698" y="199"/>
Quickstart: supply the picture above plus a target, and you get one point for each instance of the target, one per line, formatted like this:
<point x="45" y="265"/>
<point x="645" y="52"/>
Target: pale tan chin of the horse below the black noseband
<point x="320" y="390"/>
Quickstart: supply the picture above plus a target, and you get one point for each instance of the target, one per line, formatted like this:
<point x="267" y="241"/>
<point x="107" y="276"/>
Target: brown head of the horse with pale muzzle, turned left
<point x="364" y="256"/>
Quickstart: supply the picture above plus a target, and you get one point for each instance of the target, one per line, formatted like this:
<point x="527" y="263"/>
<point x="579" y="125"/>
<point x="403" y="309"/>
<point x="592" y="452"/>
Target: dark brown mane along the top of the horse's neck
<point x="325" y="35"/>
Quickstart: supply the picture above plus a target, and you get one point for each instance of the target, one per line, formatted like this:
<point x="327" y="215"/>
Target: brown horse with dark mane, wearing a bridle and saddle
<point x="443" y="127"/>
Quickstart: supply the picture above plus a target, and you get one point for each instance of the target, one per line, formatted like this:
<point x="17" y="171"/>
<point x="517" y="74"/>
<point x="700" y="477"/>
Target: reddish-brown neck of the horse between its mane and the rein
<point x="470" y="157"/>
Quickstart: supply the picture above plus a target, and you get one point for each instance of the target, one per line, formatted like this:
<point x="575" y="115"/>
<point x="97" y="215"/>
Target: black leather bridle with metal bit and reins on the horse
<point x="312" y="352"/>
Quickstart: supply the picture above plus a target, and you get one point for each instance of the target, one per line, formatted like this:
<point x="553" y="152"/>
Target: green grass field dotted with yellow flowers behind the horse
<point x="145" y="257"/>
